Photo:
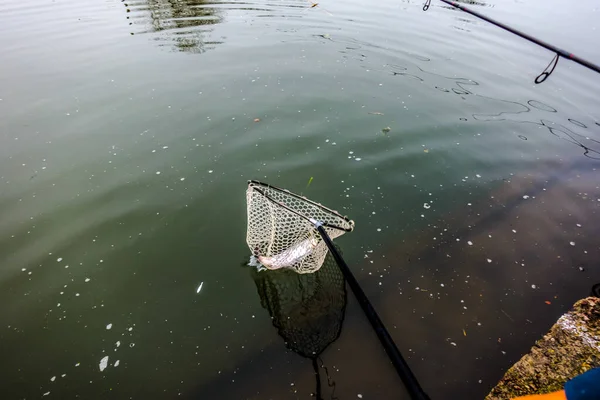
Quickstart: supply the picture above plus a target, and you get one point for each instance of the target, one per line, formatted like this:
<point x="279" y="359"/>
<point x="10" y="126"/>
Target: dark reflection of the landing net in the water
<point x="307" y="309"/>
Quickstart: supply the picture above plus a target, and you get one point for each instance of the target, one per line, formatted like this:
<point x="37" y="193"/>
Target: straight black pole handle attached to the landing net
<point x="404" y="371"/>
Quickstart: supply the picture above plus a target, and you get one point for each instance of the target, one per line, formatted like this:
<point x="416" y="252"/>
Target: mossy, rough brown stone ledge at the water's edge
<point x="570" y="348"/>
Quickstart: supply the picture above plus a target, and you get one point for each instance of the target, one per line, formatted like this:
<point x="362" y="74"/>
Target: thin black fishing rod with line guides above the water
<point x="559" y="52"/>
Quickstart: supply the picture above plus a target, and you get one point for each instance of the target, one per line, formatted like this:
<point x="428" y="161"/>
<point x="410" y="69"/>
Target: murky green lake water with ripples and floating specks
<point x="128" y="130"/>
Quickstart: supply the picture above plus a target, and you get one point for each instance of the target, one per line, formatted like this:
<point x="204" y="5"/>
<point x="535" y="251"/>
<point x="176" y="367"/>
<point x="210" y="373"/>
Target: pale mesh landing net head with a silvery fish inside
<point x="281" y="228"/>
